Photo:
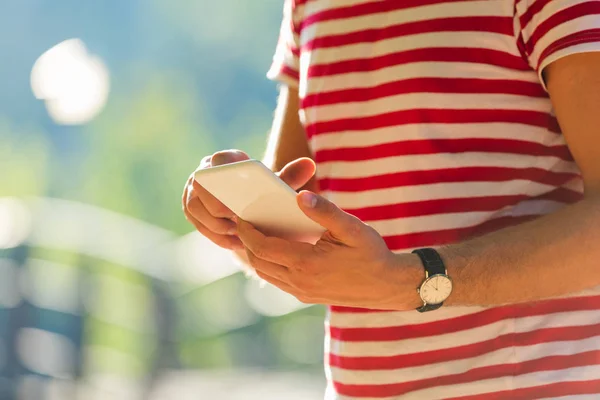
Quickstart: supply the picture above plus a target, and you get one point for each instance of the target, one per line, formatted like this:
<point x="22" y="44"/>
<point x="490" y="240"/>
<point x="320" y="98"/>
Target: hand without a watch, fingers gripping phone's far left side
<point x="211" y="217"/>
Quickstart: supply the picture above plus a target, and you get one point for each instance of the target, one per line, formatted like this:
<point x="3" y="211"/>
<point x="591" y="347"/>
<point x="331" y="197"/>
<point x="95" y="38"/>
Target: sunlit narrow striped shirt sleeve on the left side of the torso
<point x="286" y="61"/>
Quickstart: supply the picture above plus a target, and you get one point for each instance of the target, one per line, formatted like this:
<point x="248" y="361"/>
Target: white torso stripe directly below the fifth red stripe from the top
<point x="392" y="134"/>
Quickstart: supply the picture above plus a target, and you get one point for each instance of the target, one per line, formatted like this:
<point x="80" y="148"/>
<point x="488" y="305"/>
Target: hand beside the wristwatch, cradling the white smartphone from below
<point x="350" y="265"/>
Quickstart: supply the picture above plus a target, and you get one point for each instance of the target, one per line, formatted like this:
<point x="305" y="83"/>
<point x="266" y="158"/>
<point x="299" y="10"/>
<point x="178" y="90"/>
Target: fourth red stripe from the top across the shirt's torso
<point x="426" y="85"/>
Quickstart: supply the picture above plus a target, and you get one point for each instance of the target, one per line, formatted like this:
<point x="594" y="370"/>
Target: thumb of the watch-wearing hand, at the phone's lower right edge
<point x="343" y="226"/>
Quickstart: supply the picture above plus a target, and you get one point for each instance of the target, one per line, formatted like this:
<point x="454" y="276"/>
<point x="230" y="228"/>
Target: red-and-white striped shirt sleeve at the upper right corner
<point x="552" y="29"/>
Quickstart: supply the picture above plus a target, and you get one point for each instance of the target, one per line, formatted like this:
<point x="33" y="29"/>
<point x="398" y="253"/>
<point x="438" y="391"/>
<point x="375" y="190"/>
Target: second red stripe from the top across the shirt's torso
<point x="492" y="24"/>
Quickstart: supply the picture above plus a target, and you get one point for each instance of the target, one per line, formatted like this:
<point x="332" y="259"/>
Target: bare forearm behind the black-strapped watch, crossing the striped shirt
<point x="554" y="255"/>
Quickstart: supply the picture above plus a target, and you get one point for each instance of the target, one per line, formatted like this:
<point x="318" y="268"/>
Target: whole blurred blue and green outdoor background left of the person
<point x="105" y="293"/>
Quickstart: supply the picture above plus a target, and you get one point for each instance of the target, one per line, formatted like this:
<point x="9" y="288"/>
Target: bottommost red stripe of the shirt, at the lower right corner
<point x="552" y="390"/>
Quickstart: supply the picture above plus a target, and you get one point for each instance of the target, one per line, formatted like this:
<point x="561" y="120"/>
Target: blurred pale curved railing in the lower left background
<point x="94" y="299"/>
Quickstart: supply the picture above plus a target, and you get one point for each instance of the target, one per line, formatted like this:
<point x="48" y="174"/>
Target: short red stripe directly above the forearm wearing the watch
<point x="449" y="236"/>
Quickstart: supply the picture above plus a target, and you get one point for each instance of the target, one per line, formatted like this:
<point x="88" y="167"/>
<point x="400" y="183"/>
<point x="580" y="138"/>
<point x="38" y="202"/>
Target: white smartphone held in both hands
<point x="257" y="195"/>
